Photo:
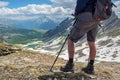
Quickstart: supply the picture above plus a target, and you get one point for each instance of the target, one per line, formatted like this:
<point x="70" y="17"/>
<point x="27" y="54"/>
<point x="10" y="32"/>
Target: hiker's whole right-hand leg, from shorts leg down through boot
<point x="91" y="42"/>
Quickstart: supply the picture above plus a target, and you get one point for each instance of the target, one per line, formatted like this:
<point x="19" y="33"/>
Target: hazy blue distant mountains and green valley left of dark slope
<point x="24" y="31"/>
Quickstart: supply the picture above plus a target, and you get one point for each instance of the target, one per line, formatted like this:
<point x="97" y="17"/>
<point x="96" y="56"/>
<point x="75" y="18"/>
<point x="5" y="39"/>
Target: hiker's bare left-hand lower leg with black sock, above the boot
<point x="71" y="50"/>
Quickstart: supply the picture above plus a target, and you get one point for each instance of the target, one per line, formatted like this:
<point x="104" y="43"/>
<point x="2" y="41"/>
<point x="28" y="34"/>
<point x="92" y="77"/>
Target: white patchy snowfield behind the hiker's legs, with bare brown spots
<point x="108" y="49"/>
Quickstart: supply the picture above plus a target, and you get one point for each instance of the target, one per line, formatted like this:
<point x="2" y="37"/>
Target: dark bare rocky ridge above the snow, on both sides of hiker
<point x="63" y="28"/>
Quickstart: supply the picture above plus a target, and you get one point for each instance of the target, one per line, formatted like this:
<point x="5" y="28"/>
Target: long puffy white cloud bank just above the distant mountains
<point x="34" y="11"/>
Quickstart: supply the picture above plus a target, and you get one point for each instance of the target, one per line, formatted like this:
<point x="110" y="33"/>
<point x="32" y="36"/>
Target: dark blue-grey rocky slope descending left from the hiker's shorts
<point x="60" y="30"/>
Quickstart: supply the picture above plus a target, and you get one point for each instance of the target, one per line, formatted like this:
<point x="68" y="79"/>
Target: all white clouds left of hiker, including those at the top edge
<point x="59" y="10"/>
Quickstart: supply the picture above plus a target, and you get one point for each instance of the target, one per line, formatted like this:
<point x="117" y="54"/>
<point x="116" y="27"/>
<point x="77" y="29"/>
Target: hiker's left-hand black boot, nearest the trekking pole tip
<point x="69" y="67"/>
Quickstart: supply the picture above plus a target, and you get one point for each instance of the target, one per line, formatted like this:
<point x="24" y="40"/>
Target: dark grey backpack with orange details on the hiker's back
<point x="102" y="9"/>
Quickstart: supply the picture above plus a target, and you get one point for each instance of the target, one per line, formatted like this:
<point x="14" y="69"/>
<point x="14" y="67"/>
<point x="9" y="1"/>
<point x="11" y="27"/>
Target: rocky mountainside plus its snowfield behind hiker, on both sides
<point x="107" y="42"/>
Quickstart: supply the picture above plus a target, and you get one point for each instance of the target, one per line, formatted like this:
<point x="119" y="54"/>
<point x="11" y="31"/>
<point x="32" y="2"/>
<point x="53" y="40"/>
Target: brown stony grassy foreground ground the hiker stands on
<point x="29" y="65"/>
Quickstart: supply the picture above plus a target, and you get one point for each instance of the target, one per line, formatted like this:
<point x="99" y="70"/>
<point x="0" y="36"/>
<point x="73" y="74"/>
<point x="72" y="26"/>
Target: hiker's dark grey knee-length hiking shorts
<point x="84" y="24"/>
